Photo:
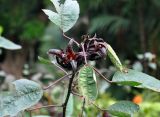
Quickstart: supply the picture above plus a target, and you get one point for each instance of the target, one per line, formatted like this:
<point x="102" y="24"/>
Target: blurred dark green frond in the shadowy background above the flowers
<point x="112" y="23"/>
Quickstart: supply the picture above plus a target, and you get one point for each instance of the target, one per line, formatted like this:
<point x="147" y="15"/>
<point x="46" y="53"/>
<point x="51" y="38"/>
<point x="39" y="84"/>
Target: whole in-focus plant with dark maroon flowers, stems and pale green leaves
<point x="74" y="63"/>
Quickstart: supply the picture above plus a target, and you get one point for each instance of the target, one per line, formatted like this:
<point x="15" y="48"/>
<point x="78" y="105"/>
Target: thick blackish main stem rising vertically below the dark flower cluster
<point x="68" y="94"/>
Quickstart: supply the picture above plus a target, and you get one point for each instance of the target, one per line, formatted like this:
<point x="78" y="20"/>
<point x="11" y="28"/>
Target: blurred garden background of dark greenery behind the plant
<point x="131" y="27"/>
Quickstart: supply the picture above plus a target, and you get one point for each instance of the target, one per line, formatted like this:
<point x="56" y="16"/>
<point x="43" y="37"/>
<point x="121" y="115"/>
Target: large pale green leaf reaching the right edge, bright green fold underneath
<point x="134" y="77"/>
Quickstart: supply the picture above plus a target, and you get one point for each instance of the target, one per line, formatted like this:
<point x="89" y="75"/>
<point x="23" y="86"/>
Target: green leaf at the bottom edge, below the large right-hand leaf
<point x="123" y="109"/>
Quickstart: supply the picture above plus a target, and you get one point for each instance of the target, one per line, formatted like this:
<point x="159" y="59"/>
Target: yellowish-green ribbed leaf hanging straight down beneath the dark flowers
<point x="87" y="82"/>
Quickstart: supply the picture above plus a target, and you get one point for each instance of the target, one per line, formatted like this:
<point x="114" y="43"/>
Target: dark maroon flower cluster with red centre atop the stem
<point x="94" y="49"/>
